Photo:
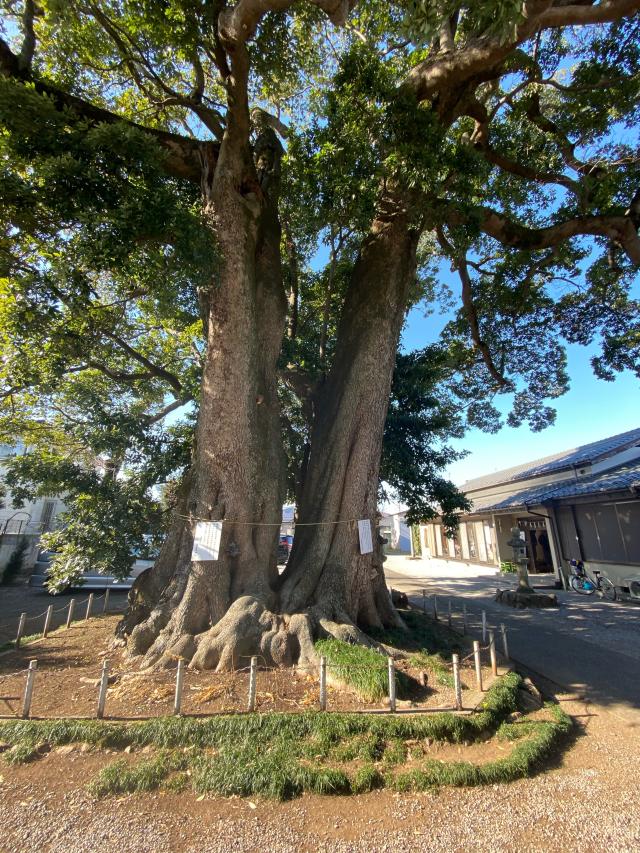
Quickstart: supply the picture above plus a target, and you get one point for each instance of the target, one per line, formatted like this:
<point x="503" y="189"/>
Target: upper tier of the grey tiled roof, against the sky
<point x="567" y="459"/>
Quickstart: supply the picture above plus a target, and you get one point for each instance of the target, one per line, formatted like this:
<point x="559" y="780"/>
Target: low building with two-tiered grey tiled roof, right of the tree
<point x="581" y="504"/>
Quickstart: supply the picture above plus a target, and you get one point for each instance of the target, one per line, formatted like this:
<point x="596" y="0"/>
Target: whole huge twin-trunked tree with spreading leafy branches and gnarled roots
<point x="490" y="134"/>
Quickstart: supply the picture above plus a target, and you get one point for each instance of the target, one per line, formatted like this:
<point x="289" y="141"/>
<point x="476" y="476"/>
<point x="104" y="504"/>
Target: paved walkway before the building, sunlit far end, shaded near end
<point x="588" y="646"/>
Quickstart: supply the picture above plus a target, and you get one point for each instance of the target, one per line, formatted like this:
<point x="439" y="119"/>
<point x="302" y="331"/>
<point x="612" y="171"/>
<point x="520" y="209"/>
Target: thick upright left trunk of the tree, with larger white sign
<point x="238" y="469"/>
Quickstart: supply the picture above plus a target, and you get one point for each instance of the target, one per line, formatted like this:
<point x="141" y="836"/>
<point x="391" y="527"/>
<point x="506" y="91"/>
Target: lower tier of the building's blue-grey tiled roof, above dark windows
<point x="623" y="477"/>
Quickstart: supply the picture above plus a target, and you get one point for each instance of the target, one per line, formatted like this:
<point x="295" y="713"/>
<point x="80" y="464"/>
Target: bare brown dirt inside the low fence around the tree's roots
<point x="70" y="662"/>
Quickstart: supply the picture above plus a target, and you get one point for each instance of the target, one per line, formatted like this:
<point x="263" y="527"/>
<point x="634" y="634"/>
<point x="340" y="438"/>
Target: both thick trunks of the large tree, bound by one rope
<point x="238" y="472"/>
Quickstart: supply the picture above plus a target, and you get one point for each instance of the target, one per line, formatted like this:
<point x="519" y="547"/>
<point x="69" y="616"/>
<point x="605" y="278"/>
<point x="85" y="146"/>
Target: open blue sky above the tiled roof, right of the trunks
<point x="592" y="409"/>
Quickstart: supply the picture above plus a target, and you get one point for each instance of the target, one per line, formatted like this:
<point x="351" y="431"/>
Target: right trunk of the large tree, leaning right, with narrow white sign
<point x="326" y="571"/>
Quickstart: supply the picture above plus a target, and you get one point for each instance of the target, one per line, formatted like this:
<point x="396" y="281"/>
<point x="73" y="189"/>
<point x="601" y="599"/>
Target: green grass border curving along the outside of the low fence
<point x="283" y="755"/>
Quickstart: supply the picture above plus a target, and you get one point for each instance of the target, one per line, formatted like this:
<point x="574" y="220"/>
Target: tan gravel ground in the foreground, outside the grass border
<point x="590" y="802"/>
